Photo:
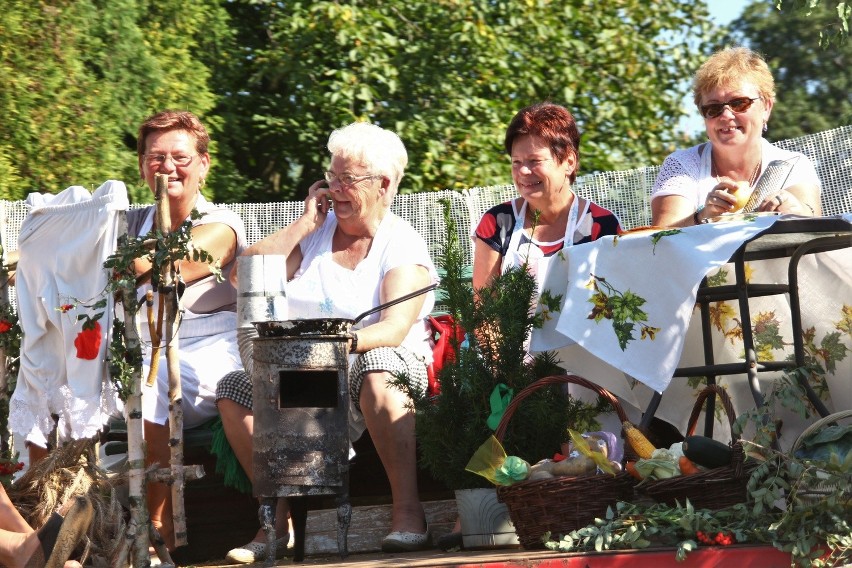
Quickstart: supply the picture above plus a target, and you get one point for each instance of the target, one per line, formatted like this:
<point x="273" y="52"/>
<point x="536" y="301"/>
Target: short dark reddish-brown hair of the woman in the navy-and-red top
<point x="553" y="124"/>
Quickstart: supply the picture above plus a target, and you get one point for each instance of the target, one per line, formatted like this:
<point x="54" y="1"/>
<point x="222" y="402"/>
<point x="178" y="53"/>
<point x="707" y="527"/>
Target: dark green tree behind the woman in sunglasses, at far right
<point x="813" y="85"/>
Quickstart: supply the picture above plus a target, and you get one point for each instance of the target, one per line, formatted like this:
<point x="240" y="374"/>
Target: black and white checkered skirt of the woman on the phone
<point x="398" y="361"/>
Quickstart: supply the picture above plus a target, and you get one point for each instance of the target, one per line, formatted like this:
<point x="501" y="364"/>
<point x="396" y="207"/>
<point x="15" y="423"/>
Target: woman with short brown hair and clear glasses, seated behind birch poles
<point x="174" y="143"/>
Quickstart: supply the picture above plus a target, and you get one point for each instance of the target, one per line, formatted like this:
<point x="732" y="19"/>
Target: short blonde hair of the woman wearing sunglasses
<point x="730" y="66"/>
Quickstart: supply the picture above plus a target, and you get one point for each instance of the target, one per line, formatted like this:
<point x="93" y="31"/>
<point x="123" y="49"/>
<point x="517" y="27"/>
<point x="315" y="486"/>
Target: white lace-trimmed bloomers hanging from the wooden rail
<point x="63" y="244"/>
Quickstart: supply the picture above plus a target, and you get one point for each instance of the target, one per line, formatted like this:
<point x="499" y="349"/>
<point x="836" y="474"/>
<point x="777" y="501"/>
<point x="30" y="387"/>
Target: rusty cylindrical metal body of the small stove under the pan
<point x="301" y="409"/>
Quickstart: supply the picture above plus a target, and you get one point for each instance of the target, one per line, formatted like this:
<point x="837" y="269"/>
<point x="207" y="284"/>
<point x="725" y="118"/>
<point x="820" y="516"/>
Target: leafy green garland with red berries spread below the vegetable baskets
<point x="781" y="509"/>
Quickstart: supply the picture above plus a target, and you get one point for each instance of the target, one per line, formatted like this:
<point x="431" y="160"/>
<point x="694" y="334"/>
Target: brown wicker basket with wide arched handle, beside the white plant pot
<point x="561" y="504"/>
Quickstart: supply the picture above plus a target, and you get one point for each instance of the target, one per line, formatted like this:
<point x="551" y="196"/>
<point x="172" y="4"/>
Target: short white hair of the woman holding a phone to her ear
<point x="379" y="150"/>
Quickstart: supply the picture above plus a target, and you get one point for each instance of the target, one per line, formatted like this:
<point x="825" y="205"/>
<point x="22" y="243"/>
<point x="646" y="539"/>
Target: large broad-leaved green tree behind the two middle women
<point x="448" y="75"/>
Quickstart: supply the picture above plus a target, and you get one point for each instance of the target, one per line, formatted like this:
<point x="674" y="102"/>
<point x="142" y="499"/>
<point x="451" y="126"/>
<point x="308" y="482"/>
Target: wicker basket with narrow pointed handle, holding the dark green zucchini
<point x="715" y="488"/>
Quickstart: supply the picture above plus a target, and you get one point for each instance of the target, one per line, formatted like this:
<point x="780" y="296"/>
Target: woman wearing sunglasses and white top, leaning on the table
<point x="735" y="92"/>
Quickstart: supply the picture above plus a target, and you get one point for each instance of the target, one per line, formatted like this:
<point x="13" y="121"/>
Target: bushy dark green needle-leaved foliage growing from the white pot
<point x="452" y="425"/>
